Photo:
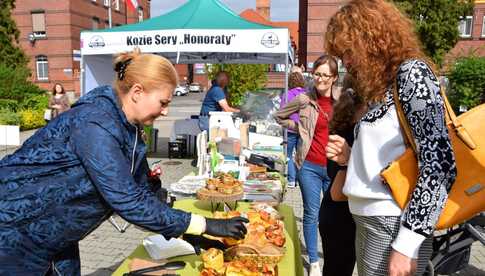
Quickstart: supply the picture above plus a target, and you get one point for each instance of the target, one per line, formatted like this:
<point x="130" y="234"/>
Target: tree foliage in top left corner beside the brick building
<point x="10" y="53"/>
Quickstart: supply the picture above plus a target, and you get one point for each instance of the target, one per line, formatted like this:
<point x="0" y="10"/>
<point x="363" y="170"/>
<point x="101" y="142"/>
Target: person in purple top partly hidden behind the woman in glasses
<point x="296" y="85"/>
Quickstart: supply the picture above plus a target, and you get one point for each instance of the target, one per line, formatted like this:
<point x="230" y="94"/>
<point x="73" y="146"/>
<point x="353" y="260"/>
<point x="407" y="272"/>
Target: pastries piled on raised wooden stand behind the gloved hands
<point x="222" y="188"/>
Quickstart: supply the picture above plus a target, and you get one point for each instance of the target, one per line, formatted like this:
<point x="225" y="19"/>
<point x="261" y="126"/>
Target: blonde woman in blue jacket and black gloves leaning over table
<point x="89" y="163"/>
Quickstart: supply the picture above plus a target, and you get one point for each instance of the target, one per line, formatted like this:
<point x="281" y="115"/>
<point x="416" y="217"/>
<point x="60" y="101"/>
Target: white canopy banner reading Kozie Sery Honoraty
<point x="229" y="41"/>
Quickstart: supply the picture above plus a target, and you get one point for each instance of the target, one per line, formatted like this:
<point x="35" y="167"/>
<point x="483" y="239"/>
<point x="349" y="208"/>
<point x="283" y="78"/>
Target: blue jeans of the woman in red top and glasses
<point x="313" y="181"/>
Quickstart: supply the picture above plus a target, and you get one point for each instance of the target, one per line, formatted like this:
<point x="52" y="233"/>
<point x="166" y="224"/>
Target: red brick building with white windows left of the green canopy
<point x="50" y="34"/>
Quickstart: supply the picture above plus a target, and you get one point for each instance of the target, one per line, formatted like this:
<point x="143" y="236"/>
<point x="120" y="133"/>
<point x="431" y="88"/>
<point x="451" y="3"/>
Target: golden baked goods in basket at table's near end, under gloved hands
<point x="257" y="254"/>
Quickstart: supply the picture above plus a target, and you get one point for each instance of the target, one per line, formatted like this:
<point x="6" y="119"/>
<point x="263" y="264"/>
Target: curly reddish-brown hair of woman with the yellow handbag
<point x="377" y="38"/>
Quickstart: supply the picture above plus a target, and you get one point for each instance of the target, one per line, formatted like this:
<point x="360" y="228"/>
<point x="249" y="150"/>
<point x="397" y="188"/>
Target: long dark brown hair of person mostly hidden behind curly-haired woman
<point x="347" y="105"/>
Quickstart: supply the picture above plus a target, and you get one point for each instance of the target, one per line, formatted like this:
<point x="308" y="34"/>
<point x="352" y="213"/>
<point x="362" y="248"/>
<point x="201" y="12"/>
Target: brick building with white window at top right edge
<point x="472" y="32"/>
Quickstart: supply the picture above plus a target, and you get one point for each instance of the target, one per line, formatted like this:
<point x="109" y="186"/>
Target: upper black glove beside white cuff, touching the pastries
<point x="232" y="228"/>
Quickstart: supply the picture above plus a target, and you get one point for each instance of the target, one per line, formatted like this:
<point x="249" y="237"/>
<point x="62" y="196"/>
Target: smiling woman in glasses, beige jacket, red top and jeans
<point x="315" y="111"/>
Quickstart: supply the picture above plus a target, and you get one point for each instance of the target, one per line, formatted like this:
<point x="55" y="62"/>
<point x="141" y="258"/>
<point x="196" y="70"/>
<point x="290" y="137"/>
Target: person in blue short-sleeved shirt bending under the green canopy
<point x="215" y="100"/>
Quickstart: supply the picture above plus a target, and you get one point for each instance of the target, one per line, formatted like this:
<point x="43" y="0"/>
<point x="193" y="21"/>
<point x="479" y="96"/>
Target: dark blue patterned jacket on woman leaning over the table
<point x="67" y="179"/>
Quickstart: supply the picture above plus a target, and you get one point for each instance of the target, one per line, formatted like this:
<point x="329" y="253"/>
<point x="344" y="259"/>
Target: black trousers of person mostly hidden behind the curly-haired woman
<point x="337" y="230"/>
